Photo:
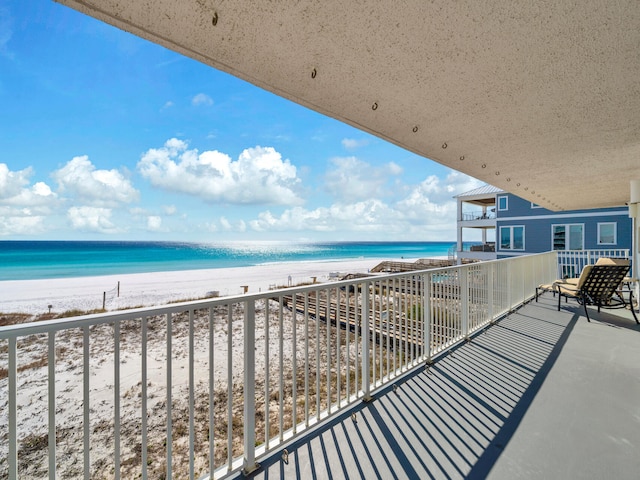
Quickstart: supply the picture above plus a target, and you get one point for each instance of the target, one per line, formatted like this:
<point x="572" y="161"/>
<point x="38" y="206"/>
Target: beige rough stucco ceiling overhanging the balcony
<point x="539" y="98"/>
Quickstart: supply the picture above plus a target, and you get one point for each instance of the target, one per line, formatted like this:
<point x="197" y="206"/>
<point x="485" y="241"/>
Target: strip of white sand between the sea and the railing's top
<point x="147" y="289"/>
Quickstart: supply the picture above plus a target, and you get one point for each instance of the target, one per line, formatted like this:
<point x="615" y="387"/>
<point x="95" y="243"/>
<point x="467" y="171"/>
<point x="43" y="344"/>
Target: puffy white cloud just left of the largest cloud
<point x="101" y="188"/>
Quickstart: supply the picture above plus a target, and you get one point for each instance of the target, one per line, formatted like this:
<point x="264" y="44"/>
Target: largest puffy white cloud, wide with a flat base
<point x="259" y="176"/>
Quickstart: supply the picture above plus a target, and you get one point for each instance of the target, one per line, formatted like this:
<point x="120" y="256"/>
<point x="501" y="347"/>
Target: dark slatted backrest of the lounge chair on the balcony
<point x="604" y="278"/>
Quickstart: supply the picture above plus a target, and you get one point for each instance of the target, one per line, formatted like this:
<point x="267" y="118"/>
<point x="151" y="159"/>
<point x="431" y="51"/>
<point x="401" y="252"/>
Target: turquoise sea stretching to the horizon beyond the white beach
<point x="22" y="260"/>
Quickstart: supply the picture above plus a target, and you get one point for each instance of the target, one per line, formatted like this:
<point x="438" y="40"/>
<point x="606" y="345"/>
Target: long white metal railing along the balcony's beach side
<point x="207" y="387"/>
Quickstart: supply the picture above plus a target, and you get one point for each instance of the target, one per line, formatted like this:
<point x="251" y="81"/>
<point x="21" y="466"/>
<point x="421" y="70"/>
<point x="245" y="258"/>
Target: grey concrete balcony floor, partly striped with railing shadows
<point x="541" y="394"/>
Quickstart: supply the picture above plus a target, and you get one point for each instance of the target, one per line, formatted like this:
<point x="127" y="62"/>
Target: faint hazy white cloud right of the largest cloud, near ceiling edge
<point x="352" y="179"/>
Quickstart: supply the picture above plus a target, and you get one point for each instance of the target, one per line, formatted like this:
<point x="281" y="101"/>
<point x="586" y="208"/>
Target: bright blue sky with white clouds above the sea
<point x="107" y="136"/>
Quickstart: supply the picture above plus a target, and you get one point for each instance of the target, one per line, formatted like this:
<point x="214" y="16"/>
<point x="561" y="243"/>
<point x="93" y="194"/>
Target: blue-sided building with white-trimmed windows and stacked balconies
<point x="510" y="225"/>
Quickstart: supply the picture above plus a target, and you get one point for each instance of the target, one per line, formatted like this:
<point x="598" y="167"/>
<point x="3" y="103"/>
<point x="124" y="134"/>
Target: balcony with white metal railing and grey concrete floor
<point x="447" y="373"/>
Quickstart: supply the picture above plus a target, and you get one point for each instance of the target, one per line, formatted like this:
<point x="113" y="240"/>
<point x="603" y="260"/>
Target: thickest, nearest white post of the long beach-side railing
<point x="249" y="464"/>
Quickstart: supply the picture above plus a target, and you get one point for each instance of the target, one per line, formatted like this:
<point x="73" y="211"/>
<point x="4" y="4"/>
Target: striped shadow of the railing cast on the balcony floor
<point x="452" y="420"/>
